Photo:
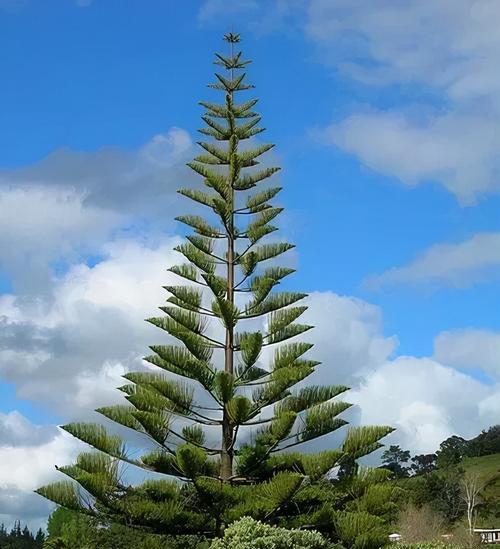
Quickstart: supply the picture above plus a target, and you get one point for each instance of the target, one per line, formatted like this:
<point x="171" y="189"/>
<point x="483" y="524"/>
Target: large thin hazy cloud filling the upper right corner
<point x="448" y="48"/>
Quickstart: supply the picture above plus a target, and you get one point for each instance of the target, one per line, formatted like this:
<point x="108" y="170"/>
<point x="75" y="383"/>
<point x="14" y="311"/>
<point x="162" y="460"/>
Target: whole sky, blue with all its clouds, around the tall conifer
<point x="390" y="171"/>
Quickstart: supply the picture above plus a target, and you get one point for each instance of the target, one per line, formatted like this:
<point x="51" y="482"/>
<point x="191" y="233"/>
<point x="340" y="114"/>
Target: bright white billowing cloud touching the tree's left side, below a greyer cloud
<point x="70" y="353"/>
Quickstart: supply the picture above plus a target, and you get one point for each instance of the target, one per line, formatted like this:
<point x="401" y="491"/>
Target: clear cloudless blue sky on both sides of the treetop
<point x="88" y="77"/>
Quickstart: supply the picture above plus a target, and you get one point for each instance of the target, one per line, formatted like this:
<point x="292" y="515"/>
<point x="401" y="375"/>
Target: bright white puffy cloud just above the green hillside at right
<point x="424" y="400"/>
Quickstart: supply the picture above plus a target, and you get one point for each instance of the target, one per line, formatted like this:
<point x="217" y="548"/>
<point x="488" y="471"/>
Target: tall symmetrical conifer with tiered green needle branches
<point x="214" y="414"/>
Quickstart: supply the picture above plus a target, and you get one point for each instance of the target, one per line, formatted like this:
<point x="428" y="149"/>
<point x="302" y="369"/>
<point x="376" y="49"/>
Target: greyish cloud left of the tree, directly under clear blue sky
<point x="73" y="202"/>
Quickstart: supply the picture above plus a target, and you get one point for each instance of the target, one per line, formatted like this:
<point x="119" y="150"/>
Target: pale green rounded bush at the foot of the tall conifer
<point x="248" y="533"/>
